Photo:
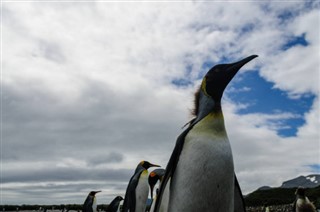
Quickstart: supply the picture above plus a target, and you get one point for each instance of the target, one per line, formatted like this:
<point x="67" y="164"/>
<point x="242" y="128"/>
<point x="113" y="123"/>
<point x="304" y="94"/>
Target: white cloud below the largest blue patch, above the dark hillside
<point x="261" y="156"/>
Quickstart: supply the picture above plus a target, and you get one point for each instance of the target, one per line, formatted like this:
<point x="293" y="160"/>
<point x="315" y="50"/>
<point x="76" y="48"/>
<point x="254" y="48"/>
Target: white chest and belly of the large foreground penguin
<point x="204" y="176"/>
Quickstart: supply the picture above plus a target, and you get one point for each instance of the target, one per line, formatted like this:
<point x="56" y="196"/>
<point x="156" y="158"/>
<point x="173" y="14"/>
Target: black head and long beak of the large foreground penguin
<point x="217" y="79"/>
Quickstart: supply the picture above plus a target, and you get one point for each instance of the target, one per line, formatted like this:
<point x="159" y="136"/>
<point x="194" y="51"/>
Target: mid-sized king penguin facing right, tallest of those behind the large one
<point x="137" y="191"/>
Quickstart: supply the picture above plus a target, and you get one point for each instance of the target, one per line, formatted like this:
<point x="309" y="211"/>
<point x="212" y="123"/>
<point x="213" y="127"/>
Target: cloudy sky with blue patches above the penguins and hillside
<point x="91" y="88"/>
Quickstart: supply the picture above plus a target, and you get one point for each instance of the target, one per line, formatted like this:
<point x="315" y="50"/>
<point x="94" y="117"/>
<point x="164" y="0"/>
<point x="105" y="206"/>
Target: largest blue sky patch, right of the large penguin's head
<point x="260" y="97"/>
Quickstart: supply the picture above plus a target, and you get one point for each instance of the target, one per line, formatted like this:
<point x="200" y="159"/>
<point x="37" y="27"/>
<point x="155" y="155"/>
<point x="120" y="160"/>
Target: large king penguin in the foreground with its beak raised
<point x="200" y="172"/>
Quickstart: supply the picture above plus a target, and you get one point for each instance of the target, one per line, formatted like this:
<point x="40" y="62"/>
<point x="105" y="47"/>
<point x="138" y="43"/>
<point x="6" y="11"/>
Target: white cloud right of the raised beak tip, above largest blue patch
<point x="287" y="68"/>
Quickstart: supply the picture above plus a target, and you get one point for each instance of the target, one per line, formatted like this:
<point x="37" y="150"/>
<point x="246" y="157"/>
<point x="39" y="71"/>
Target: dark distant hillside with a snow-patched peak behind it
<point x="285" y="194"/>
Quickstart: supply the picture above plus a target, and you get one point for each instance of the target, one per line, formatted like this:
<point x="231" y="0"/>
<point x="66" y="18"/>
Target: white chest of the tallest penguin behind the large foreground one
<point x="142" y="191"/>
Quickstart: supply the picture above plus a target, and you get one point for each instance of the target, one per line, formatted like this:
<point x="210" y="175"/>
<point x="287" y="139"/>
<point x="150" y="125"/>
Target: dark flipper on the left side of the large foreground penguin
<point x="172" y="164"/>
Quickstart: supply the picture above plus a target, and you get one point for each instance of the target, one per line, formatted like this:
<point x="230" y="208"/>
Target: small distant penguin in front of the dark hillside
<point x="302" y="203"/>
